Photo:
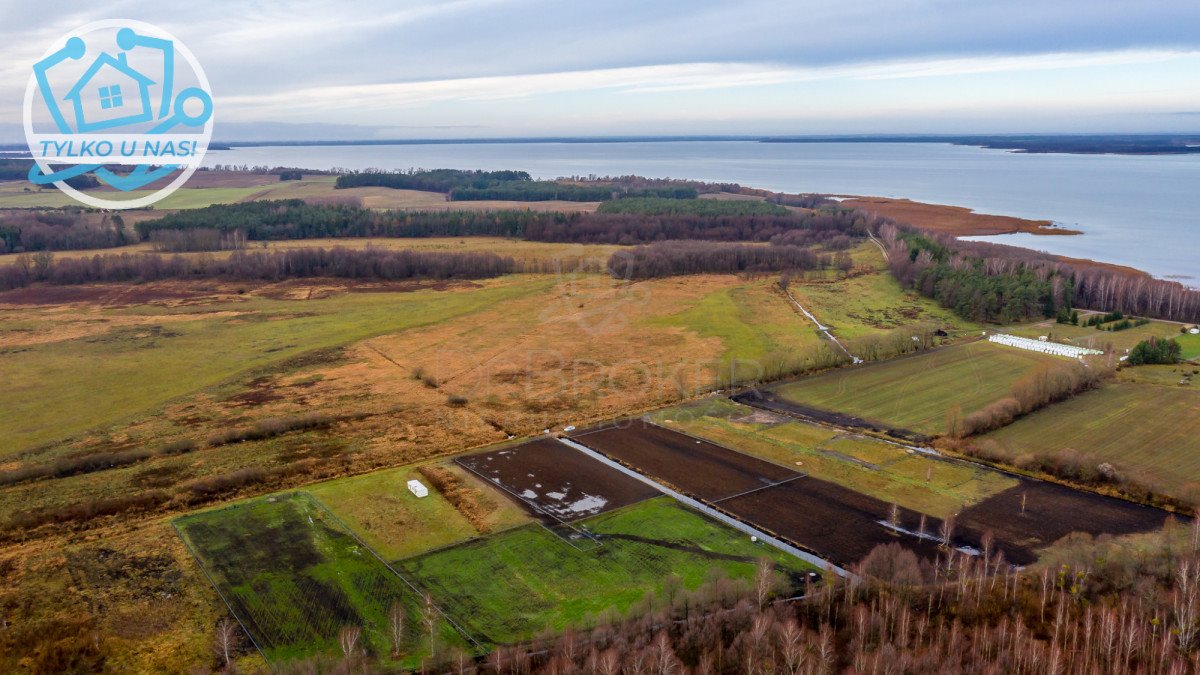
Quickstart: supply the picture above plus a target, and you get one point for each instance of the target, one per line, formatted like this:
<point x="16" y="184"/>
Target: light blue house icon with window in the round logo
<point x="111" y="94"/>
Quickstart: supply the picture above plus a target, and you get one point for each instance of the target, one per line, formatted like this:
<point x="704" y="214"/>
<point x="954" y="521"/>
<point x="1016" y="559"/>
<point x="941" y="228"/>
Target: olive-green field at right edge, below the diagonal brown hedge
<point x="1143" y="429"/>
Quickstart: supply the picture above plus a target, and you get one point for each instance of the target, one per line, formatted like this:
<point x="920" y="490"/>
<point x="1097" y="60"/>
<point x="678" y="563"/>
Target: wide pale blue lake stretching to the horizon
<point x="1135" y="211"/>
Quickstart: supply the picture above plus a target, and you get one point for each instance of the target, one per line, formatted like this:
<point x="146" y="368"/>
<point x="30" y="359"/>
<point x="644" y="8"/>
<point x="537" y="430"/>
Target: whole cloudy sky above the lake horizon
<point x="485" y="69"/>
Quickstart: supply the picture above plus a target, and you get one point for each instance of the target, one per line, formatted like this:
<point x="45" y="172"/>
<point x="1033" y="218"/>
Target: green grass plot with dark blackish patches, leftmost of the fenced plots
<point x="296" y="578"/>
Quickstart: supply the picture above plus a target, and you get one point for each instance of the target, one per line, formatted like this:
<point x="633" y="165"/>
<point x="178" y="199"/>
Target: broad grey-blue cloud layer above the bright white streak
<point x="265" y="50"/>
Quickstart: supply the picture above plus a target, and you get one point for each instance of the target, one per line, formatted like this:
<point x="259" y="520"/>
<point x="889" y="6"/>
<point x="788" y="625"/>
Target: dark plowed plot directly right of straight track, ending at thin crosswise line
<point x="691" y="465"/>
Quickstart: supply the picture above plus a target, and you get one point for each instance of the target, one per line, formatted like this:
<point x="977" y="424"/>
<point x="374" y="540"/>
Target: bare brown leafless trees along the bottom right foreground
<point x="1097" y="607"/>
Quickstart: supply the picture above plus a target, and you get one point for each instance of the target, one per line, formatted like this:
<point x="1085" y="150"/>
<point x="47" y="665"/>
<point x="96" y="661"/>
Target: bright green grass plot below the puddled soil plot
<point x="519" y="583"/>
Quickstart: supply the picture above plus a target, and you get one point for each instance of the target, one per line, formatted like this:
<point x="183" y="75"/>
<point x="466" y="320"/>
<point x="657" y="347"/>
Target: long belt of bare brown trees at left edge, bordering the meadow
<point x="266" y="266"/>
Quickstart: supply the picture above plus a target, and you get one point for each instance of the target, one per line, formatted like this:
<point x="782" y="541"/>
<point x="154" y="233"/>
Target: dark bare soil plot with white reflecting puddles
<point x="555" y="481"/>
